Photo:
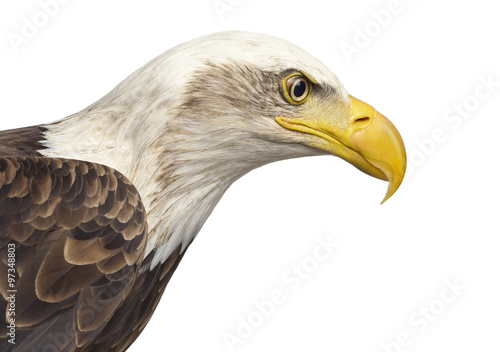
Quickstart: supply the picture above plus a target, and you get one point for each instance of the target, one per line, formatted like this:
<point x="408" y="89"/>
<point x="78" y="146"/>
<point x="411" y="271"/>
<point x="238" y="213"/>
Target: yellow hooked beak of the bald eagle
<point x="358" y="134"/>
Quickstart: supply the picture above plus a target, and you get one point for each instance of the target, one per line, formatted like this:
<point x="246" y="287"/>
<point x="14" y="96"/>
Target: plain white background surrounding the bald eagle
<point x="392" y="259"/>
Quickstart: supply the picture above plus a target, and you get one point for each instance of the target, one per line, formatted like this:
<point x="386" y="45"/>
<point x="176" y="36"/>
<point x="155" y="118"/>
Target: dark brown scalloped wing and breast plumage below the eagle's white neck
<point x="77" y="231"/>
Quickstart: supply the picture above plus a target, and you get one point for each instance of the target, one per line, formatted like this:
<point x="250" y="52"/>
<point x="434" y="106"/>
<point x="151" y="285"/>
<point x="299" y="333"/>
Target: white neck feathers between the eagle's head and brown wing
<point x="180" y="180"/>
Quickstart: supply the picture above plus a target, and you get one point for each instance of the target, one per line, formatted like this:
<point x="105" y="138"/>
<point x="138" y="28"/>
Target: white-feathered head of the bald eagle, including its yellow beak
<point x="263" y="99"/>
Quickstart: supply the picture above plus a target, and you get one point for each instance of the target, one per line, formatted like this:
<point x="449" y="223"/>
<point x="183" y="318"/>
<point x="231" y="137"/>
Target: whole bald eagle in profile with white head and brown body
<point x="97" y="209"/>
